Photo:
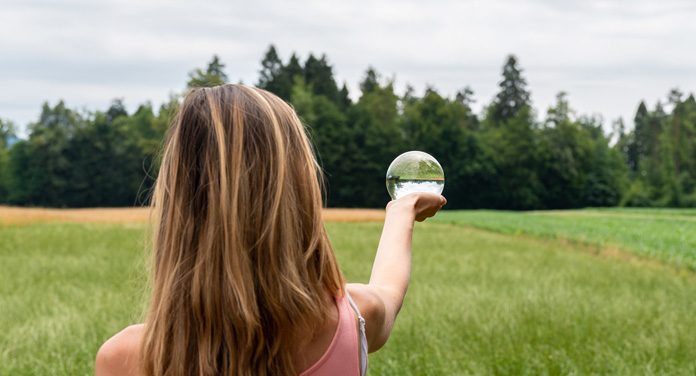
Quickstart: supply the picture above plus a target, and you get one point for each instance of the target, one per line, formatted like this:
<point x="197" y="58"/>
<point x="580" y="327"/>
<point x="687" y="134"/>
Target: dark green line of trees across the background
<point x="507" y="157"/>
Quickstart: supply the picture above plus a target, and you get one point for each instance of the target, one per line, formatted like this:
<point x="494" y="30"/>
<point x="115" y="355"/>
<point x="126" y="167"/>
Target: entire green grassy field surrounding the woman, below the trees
<point x="491" y="293"/>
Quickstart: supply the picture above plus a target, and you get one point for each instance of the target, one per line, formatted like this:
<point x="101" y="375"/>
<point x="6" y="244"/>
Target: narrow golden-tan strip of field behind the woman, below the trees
<point x="16" y="215"/>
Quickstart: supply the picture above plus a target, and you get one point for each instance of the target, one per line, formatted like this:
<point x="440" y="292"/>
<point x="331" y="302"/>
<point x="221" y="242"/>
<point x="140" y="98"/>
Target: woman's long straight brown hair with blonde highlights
<point x="241" y="261"/>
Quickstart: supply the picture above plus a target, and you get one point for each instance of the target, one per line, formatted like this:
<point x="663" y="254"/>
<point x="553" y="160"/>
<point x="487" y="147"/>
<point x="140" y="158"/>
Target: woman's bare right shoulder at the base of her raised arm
<point x="373" y="310"/>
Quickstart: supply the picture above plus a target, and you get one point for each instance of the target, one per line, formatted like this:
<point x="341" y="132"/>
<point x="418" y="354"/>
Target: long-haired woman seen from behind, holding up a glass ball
<point x="244" y="279"/>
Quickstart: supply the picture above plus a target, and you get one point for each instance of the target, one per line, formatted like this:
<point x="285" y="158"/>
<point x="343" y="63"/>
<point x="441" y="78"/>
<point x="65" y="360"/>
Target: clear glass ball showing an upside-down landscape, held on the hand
<point x="414" y="171"/>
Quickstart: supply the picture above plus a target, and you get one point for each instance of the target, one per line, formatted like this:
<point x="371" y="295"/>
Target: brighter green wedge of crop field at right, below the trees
<point x="667" y="235"/>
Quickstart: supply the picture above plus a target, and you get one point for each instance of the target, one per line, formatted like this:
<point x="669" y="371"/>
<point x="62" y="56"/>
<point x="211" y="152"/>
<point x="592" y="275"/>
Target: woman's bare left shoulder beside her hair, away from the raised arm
<point x="120" y="354"/>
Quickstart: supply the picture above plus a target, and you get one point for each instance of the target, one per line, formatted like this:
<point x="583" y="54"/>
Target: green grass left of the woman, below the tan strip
<point x="64" y="289"/>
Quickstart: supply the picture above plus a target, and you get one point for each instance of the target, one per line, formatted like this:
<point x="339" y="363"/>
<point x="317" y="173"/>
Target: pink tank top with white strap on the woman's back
<point x="342" y="356"/>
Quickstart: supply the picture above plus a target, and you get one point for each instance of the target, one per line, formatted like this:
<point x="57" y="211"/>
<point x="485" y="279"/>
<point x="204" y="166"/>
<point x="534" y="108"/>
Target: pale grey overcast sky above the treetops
<point x="607" y="55"/>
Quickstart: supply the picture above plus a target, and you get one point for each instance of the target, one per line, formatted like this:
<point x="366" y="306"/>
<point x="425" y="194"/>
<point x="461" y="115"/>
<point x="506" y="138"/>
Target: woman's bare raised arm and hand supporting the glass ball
<point x="380" y="300"/>
